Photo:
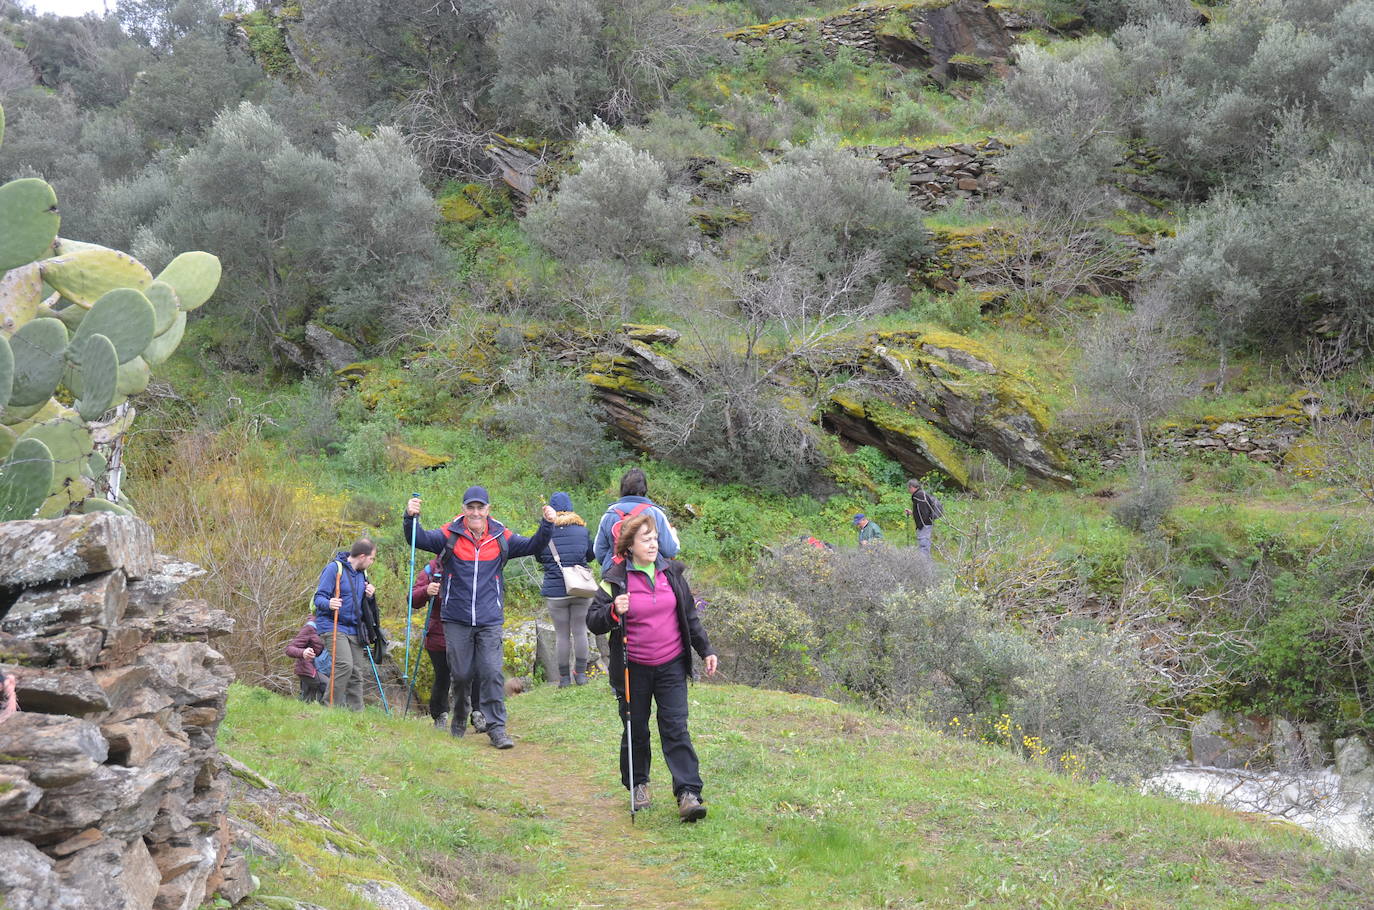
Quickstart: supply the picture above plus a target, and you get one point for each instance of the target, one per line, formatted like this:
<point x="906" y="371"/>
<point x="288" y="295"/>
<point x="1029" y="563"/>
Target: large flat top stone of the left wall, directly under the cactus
<point x="39" y="552"/>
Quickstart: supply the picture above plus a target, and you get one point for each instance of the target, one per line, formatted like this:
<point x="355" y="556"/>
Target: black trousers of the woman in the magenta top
<point x="666" y="685"/>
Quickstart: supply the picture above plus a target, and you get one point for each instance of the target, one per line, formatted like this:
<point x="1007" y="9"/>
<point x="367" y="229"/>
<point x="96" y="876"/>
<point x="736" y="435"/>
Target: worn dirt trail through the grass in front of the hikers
<point x="598" y="845"/>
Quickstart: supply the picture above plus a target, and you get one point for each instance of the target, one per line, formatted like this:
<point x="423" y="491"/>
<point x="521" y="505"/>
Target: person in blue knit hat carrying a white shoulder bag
<point x="570" y="546"/>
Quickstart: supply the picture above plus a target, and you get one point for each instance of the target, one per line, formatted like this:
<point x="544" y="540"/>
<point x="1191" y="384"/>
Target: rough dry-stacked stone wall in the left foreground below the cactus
<point x="113" y="792"/>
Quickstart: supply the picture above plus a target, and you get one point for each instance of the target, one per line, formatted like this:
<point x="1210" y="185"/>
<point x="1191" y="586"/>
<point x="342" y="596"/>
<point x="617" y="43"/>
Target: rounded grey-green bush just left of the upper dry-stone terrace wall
<point x="828" y="207"/>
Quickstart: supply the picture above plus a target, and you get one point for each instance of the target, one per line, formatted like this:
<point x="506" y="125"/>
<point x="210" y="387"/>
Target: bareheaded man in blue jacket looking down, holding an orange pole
<point x="347" y="574"/>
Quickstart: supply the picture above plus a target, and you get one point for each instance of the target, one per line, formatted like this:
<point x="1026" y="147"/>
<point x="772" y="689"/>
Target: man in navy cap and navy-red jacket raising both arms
<point x="473" y="549"/>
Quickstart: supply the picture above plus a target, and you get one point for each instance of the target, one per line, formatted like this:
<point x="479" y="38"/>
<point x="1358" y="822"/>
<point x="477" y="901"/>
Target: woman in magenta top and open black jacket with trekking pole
<point x="649" y="611"/>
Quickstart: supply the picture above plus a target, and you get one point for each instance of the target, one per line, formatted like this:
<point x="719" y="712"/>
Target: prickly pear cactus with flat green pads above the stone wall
<point x="85" y="322"/>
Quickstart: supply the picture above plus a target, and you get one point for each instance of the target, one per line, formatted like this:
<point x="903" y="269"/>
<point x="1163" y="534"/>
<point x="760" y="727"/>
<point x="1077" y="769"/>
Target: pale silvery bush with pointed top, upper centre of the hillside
<point x="618" y="207"/>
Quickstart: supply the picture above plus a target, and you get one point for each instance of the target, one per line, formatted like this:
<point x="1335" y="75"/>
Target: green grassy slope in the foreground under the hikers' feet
<point x="810" y="803"/>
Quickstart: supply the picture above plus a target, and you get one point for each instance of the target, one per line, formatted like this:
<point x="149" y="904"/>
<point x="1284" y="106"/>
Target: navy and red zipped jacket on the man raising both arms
<point x="473" y="592"/>
